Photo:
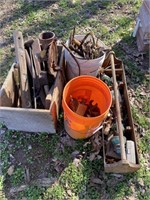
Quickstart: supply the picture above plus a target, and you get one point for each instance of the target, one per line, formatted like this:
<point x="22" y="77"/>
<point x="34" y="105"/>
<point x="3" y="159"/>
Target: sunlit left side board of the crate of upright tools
<point x="7" y="90"/>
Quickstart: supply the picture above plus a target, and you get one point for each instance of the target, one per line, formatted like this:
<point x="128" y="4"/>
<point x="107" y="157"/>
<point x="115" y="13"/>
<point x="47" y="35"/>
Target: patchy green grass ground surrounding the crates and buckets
<point x="113" y="23"/>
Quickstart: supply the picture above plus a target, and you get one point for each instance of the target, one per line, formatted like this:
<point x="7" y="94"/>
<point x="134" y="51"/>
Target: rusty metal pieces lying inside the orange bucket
<point x="83" y="107"/>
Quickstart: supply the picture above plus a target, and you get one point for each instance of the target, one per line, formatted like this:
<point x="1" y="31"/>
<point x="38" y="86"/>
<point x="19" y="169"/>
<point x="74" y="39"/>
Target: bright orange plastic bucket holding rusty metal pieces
<point x="91" y="88"/>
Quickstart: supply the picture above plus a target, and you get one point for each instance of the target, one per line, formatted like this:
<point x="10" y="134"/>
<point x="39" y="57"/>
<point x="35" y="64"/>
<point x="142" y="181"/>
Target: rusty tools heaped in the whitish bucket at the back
<point x="87" y="47"/>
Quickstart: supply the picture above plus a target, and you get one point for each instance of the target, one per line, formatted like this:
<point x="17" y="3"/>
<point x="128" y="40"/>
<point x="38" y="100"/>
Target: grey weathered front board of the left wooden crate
<point x="28" y="120"/>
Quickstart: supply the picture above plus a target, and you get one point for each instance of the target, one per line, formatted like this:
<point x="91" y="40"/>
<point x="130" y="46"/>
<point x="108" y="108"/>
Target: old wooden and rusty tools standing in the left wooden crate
<point x="34" y="72"/>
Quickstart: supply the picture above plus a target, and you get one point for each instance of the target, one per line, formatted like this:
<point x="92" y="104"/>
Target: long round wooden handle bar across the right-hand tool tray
<point x="118" y="112"/>
